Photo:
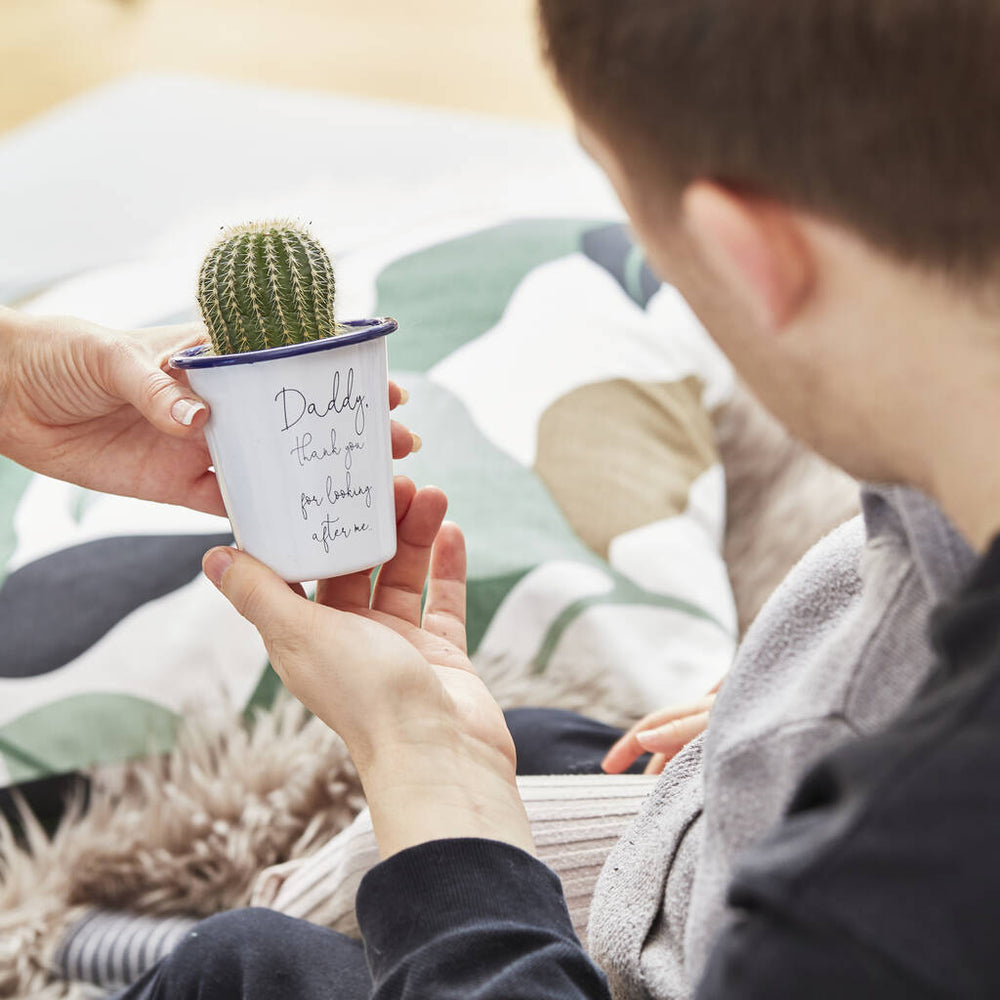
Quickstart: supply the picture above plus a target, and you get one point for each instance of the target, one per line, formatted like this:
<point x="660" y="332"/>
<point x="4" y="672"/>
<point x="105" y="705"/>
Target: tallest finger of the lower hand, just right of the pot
<point x="400" y="584"/>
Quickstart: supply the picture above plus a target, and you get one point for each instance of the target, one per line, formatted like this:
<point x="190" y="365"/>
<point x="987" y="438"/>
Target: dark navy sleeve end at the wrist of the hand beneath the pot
<point x="472" y="920"/>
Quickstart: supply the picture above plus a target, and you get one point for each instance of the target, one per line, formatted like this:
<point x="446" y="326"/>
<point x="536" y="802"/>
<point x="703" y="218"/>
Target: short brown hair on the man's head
<point x="881" y="114"/>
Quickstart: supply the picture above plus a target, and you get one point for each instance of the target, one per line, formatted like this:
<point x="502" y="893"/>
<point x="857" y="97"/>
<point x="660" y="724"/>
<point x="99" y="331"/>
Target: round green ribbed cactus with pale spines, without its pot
<point x="265" y="285"/>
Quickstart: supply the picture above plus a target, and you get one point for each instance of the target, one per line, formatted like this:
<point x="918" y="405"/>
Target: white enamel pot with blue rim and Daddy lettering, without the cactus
<point x="300" y="440"/>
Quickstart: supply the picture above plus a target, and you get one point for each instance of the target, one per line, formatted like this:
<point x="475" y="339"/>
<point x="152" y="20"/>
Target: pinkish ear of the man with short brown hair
<point x="756" y="247"/>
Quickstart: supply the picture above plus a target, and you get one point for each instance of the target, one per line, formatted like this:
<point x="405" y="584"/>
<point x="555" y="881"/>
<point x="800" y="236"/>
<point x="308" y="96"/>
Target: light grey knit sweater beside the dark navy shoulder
<point x="838" y="651"/>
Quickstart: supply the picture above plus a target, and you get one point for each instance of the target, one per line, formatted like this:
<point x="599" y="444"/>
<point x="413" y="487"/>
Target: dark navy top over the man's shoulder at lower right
<point x="883" y="881"/>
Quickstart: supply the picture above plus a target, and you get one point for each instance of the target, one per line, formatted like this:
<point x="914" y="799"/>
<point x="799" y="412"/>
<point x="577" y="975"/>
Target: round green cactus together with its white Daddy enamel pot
<point x="299" y="431"/>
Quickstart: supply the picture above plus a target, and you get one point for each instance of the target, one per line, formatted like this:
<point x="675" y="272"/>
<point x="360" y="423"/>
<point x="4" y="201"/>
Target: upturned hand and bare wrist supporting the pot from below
<point x="430" y="743"/>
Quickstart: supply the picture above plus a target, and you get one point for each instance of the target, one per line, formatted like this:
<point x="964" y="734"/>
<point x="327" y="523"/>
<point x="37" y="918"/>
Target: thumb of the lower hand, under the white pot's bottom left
<point x="280" y="616"/>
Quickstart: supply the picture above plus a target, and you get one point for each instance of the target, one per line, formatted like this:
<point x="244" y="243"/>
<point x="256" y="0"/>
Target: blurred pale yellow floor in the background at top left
<point x="471" y="54"/>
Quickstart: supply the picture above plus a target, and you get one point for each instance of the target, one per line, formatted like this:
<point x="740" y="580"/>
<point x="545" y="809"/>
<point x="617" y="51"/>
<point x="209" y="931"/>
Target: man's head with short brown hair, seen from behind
<point x="815" y="175"/>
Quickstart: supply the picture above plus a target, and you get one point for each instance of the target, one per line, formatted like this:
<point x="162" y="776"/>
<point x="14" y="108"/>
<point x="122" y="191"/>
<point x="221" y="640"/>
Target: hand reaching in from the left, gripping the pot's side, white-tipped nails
<point x="100" y="408"/>
